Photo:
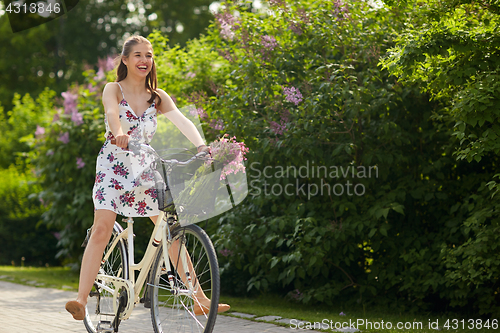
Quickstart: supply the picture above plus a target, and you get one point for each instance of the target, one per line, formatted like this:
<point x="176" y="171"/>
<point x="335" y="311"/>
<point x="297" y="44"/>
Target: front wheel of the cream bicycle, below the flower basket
<point x="171" y="312"/>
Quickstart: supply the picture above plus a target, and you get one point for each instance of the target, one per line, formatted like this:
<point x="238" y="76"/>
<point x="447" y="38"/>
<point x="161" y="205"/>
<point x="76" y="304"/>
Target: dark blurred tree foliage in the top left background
<point x="55" y="54"/>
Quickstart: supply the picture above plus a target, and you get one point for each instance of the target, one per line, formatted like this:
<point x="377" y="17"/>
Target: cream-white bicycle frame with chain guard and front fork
<point x="132" y="286"/>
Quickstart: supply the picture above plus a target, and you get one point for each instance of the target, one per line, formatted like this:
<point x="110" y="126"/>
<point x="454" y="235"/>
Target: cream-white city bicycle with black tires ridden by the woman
<point x="172" y="288"/>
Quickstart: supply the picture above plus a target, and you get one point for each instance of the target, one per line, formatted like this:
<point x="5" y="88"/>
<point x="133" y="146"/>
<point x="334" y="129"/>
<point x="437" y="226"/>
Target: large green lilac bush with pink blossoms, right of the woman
<point x="390" y="244"/>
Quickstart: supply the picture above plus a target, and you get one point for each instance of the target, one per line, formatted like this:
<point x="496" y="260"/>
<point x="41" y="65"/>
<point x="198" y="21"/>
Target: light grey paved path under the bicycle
<point x="25" y="309"/>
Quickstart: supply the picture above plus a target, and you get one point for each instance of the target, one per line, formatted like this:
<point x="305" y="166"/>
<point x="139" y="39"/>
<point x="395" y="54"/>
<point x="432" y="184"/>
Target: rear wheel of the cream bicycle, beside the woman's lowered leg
<point x="100" y="302"/>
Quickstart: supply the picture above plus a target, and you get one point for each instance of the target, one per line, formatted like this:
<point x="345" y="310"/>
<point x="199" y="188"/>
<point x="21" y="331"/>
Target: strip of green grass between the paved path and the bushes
<point x="323" y="316"/>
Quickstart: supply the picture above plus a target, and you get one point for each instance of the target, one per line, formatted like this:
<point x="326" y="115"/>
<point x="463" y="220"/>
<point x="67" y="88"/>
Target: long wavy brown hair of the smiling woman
<point x="121" y="72"/>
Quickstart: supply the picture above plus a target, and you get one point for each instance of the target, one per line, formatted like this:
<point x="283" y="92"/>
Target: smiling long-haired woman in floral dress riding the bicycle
<point x="115" y="190"/>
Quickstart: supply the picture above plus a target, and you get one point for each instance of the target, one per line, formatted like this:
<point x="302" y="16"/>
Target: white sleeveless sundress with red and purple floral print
<point x="124" y="182"/>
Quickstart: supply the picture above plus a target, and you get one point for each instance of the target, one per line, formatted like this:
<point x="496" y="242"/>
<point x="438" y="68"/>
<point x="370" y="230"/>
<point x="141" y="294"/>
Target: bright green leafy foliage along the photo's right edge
<point x="449" y="49"/>
